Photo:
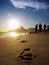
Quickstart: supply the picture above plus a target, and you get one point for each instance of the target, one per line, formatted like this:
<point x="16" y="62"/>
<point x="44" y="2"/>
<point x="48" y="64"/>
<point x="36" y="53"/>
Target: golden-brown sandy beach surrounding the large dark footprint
<point x="10" y="48"/>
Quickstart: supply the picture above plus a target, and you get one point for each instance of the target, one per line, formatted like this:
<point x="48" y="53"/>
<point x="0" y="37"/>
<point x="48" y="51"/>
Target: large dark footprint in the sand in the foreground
<point x="26" y="55"/>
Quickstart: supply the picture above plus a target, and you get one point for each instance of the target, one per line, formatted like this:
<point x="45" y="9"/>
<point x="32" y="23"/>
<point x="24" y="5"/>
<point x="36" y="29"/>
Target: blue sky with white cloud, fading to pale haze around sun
<point x="28" y="12"/>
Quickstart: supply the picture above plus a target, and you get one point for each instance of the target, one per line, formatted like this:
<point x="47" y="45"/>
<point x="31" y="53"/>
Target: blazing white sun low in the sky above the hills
<point x="13" y="23"/>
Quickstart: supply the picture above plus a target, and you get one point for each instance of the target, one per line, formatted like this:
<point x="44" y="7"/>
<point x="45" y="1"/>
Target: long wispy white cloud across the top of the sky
<point x="23" y="4"/>
